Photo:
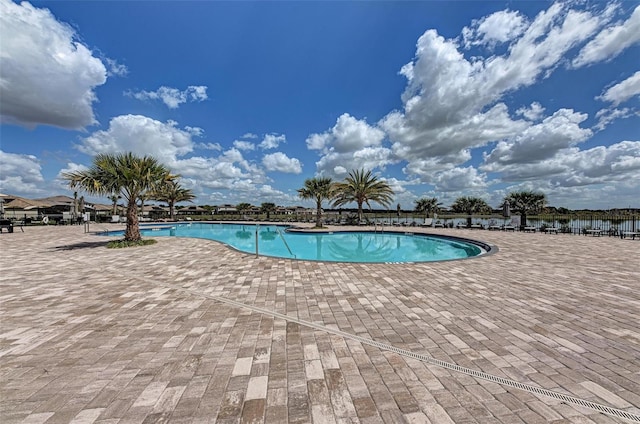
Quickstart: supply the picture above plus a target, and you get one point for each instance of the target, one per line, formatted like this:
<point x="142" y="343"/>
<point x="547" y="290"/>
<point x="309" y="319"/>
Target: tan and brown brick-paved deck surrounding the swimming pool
<point x="190" y="331"/>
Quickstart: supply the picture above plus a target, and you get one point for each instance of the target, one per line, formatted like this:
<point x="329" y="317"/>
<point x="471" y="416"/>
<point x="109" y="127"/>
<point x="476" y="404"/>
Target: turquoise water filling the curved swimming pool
<point x="334" y="247"/>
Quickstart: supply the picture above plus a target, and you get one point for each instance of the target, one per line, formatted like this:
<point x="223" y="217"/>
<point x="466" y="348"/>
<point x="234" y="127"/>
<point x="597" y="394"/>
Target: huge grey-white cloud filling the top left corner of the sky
<point x="47" y="76"/>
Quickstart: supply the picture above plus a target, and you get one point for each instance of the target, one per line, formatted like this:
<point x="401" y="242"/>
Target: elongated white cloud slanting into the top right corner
<point x="610" y="42"/>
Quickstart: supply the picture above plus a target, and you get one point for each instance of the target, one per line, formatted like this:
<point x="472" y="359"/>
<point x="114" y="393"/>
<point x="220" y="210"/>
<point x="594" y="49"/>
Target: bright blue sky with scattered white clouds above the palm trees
<point x="246" y="100"/>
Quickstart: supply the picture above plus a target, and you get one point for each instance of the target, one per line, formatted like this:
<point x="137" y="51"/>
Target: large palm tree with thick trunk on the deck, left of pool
<point x="123" y="173"/>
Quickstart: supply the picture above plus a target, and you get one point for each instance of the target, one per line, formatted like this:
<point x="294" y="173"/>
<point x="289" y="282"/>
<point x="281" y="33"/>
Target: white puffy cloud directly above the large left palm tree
<point x="140" y="135"/>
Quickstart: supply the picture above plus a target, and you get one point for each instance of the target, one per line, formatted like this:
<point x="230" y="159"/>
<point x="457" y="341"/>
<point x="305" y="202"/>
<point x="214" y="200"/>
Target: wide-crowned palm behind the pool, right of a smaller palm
<point x="362" y="187"/>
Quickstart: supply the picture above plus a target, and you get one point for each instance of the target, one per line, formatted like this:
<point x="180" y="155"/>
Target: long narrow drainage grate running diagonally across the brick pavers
<point x="614" y="412"/>
